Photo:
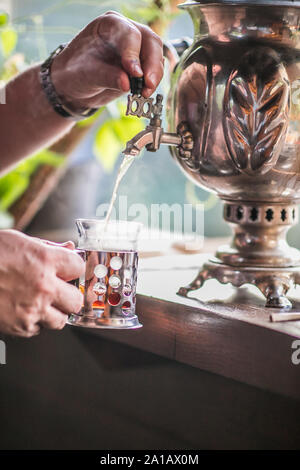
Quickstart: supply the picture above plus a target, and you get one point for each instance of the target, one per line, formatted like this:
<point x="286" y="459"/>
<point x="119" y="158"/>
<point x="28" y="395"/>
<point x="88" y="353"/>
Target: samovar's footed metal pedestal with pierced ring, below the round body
<point x="258" y="254"/>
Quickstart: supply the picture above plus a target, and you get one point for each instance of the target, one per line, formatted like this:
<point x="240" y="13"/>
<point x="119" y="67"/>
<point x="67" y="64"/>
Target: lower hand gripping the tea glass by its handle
<point x="33" y="288"/>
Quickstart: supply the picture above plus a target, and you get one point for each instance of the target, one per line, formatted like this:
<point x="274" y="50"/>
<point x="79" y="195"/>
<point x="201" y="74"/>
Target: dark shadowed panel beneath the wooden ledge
<point x="72" y="390"/>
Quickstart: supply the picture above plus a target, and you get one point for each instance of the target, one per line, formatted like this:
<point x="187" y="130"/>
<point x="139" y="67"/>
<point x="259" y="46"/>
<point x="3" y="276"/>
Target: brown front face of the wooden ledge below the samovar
<point x="228" y="347"/>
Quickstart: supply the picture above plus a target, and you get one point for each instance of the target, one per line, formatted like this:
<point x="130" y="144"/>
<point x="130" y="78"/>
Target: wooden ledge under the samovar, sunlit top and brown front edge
<point x="222" y="329"/>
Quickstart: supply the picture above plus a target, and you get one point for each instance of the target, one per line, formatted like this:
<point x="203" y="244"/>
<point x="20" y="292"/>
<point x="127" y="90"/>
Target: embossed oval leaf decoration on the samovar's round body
<point x="256" y="108"/>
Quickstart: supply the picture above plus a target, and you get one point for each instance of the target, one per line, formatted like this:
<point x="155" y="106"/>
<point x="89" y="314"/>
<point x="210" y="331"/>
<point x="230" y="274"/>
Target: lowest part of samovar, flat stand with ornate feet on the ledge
<point x="274" y="283"/>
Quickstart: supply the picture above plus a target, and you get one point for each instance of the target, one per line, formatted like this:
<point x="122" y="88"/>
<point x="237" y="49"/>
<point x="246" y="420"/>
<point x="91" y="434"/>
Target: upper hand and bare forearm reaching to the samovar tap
<point x="93" y="70"/>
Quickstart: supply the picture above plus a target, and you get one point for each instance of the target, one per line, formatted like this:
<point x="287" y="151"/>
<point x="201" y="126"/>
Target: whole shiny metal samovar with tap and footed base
<point x="234" y="129"/>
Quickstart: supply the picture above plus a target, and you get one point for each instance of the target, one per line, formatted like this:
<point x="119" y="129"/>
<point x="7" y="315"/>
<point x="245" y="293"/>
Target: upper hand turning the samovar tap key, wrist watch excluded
<point x="96" y="65"/>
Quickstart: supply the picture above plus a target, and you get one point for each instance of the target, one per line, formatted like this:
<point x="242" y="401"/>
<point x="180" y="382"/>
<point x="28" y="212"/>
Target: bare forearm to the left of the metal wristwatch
<point x="27" y="120"/>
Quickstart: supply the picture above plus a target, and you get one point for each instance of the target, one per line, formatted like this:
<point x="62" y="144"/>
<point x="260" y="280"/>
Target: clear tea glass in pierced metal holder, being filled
<point x="109" y="285"/>
